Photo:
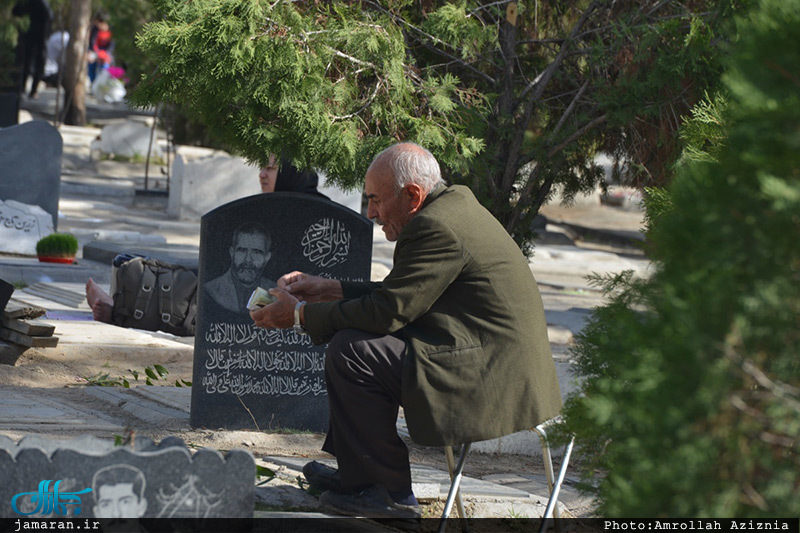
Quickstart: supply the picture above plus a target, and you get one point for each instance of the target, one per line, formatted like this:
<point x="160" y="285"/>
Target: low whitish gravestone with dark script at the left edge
<point x="21" y="227"/>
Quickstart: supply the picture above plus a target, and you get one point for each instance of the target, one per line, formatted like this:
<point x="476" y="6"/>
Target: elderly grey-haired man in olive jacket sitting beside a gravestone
<point x="456" y="334"/>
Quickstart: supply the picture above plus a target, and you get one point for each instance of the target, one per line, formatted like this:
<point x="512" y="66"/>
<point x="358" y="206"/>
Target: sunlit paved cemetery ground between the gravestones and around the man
<point x="98" y="202"/>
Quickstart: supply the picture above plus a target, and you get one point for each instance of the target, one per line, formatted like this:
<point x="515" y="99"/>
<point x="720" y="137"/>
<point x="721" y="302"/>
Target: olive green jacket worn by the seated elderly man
<point x="461" y="293"/>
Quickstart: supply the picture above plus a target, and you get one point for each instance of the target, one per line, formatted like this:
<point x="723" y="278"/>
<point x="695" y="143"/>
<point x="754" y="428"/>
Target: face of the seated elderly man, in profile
<point x="390" y="210"/>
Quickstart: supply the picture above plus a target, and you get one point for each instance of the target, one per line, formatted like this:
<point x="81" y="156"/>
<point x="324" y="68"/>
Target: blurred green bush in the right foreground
<point x="690" y="403"/>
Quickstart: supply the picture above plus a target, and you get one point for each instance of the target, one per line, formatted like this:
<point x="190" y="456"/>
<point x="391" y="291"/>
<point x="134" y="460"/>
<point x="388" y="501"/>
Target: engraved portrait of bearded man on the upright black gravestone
<point x="249" y="253"/>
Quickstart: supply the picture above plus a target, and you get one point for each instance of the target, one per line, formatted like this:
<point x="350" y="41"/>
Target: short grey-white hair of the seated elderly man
<point x="410" y="163"/>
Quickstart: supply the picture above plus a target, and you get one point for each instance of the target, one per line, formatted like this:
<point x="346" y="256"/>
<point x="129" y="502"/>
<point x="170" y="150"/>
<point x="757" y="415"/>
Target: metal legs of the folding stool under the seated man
<point x="554" y="486"/>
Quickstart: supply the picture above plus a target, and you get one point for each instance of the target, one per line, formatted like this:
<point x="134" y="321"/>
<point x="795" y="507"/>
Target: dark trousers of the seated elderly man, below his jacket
<point x="363" y="374"/>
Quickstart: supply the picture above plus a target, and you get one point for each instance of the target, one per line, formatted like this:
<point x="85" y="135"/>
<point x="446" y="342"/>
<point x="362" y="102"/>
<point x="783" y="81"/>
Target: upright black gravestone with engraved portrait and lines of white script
<point x="247" y="377"/>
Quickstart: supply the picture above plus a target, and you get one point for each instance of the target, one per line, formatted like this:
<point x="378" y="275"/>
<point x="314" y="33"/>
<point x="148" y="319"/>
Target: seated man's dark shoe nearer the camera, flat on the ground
<point x="372" y="502"/>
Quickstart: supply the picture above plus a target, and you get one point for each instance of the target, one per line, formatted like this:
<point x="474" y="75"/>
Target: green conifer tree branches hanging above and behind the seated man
<point x="513" y="99"/>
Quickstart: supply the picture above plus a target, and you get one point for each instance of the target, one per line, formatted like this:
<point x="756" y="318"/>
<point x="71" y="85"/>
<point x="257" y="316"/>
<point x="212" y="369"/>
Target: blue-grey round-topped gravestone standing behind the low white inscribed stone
<point x="30" y="159"/>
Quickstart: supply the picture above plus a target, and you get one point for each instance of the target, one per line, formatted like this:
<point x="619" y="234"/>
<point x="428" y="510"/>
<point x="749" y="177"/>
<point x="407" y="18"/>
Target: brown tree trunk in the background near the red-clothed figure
<point x="75" y="71"/>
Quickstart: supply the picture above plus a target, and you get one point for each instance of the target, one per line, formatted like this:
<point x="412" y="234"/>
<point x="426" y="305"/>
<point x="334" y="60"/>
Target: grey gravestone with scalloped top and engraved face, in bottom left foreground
<point x="92" y="478"/>
